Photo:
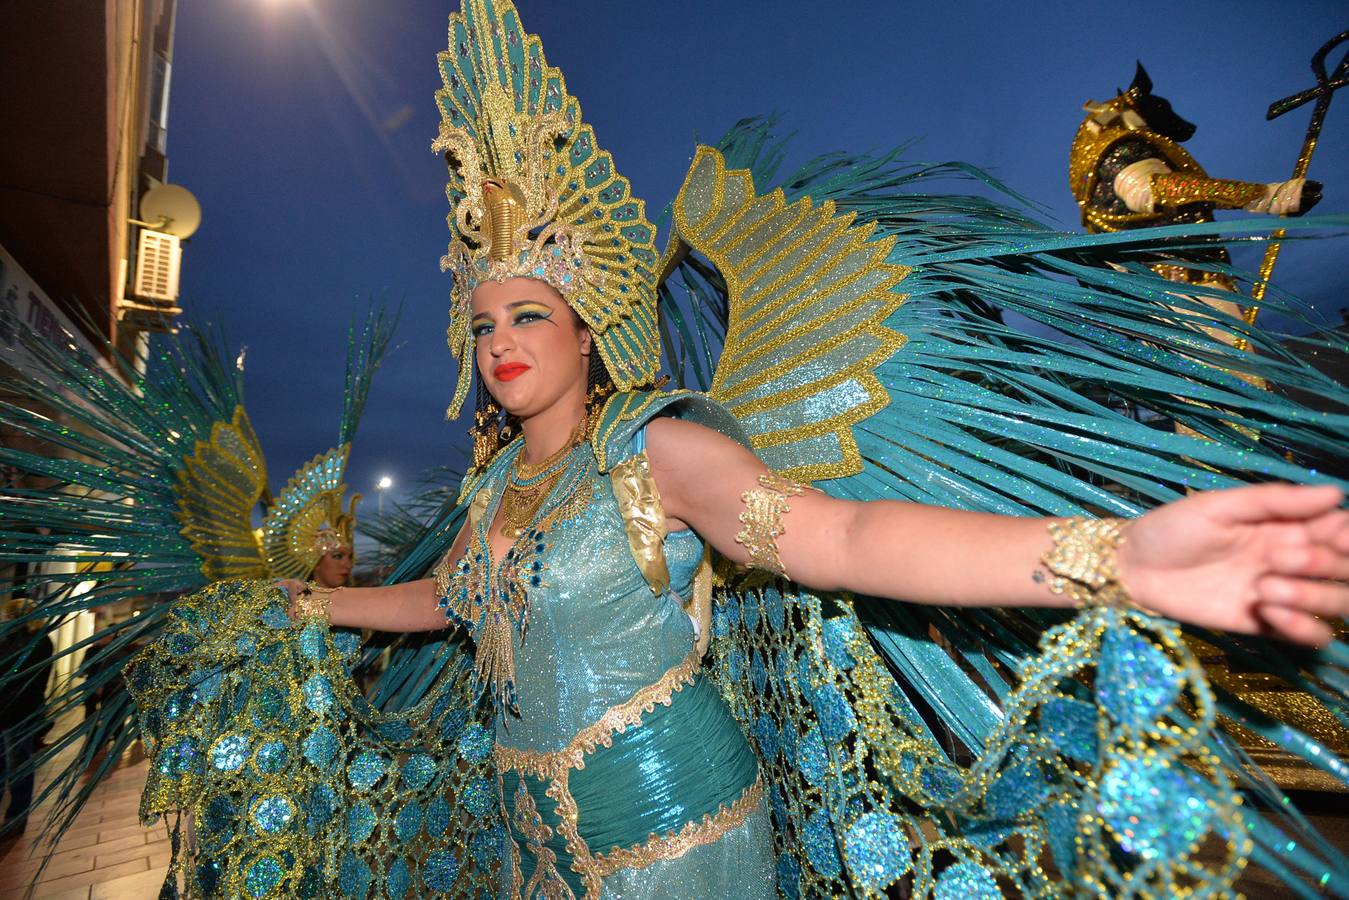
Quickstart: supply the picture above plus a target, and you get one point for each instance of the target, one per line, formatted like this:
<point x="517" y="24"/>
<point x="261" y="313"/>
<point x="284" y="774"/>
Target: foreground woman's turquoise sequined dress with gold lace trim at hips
<point x="623" y="772"/>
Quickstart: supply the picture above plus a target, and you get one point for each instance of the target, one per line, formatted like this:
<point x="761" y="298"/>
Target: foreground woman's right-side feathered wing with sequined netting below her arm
<point x="891" y="343"/>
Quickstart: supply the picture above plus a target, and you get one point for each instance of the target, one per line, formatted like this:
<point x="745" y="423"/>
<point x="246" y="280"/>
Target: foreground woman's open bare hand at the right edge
<point x="1271" y="559"/>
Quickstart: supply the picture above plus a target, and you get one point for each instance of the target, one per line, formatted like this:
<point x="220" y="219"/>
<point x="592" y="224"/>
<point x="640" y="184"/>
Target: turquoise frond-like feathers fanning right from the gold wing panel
<point x="1042" y="376"/>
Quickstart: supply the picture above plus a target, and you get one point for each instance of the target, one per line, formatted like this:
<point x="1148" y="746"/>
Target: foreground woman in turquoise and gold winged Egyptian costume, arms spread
<point x="670" y="673"/>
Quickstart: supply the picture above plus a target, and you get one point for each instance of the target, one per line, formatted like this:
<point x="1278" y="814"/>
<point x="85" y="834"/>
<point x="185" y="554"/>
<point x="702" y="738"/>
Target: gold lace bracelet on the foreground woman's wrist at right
<point x="1085" y="562"/>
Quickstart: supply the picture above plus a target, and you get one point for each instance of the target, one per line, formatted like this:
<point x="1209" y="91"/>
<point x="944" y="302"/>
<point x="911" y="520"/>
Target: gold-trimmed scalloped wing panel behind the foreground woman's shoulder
<point x="810" y="295"/>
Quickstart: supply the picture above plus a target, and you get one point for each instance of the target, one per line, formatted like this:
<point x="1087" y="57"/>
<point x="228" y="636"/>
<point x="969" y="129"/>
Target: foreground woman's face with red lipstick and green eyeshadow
<point x="529" y="346"/>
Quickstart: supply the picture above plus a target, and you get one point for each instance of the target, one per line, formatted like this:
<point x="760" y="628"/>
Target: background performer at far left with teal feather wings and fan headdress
<point x="138" y="480"/>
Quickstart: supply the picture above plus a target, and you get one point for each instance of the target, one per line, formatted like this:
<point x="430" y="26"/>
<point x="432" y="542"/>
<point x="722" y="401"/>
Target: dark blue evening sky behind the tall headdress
<point x="304" y="128"/>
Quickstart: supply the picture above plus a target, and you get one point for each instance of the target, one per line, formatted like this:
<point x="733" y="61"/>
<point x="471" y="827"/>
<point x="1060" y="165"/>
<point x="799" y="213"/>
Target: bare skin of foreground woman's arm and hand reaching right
<point x="1262" y="559"/>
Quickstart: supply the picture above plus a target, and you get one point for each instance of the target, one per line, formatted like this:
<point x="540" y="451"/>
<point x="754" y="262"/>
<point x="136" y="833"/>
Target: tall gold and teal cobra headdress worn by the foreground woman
<point x="534" y="196"/>
